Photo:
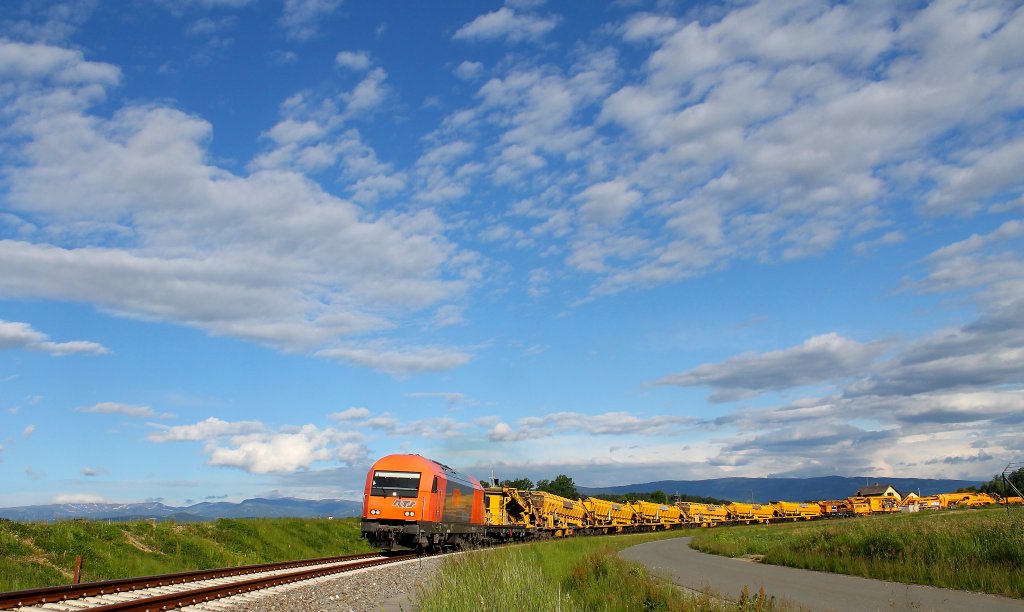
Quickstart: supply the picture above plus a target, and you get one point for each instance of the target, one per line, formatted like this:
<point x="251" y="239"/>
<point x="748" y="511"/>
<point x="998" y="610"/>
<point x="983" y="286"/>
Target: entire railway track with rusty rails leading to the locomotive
<point x="169" y="592"/>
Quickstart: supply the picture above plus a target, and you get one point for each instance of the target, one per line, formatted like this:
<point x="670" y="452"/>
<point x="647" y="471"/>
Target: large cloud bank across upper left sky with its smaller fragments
<point x="157" y="233"/>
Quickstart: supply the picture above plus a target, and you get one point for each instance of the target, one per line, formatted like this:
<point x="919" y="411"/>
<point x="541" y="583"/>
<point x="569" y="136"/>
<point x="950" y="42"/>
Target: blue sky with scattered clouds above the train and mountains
<point x="247" y="247"/>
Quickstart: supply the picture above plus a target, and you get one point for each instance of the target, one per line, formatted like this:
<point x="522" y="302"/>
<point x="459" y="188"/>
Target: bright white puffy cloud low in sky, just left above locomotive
<point x="254" y="448"/>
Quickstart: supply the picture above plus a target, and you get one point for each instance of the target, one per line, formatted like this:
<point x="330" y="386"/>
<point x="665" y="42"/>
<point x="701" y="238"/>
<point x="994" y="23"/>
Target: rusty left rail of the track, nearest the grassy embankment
<point x="53" y="595"/>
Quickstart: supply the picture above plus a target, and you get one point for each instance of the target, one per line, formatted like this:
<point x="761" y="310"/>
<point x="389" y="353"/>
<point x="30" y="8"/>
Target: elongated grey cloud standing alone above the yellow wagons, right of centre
<point x="818" y="361"/>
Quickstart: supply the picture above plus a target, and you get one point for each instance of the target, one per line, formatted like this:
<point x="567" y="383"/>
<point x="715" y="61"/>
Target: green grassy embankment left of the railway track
<point x="35" y="555"/>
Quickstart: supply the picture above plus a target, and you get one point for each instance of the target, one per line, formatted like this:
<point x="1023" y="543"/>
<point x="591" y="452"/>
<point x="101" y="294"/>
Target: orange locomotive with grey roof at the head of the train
<point x="412" y="503"/>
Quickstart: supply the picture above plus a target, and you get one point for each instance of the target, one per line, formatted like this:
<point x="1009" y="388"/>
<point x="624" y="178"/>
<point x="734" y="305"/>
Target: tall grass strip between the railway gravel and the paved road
<point x="582" y="574"/>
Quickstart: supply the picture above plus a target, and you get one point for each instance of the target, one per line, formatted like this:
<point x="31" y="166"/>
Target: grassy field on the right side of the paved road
<point x="970" y="550"/>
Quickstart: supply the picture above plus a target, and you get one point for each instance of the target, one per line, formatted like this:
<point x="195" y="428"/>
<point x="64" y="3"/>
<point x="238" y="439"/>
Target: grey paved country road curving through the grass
<point x="802" y="589"/>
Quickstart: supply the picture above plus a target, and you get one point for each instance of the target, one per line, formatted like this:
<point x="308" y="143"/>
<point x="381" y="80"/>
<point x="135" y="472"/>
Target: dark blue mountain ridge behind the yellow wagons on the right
<point x="793" y="490"/>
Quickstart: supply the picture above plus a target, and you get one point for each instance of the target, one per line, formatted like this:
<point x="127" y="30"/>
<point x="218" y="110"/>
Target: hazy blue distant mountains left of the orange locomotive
<point x="259" y="508"/>
